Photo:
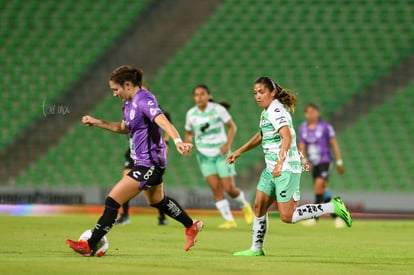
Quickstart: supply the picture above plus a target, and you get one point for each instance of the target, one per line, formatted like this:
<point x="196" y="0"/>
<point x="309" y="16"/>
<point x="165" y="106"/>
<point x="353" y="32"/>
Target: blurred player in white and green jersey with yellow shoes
<point x="207" y="122"/>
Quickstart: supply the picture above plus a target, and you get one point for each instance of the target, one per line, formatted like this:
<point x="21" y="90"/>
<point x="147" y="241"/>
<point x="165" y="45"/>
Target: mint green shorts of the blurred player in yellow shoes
<point x="215" y="166"/>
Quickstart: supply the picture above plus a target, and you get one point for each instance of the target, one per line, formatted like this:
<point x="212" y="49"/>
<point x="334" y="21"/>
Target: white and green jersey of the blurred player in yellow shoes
<point x="208" y="128"/>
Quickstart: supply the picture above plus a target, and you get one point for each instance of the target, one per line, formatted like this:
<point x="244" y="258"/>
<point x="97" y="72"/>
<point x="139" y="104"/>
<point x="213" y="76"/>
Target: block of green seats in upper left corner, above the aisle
<point x="49" y="45"/>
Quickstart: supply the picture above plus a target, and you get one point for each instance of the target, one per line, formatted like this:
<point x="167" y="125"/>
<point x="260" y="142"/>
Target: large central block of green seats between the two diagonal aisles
<point x="326" y="53"/>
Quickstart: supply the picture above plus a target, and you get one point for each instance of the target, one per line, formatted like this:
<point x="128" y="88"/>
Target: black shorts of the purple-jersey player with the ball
<point x="147" y="176"/>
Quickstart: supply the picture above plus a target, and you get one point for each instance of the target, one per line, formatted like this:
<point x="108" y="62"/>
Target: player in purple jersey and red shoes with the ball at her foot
<point x="143" y="121"/>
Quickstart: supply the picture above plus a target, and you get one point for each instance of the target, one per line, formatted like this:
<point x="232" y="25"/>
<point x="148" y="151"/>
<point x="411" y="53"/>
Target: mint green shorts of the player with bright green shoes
<point x="282" y="188"/>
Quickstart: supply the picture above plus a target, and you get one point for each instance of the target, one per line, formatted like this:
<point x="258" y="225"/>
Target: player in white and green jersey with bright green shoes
<point x="281" y="178"/>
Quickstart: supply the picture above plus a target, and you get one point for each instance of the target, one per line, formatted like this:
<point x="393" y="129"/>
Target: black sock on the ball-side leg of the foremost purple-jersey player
<point x="105" y="222"/>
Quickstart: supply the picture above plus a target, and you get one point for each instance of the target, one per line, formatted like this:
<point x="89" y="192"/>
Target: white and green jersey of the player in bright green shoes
<point x="271" y="120"/>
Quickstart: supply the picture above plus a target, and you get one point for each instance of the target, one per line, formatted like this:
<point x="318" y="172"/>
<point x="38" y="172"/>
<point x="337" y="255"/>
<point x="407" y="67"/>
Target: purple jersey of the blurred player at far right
<point x="318" y="148"/>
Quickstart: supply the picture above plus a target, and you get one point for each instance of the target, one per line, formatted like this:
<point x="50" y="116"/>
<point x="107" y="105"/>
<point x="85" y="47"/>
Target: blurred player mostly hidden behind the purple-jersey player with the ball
<point x="128" y="165"/>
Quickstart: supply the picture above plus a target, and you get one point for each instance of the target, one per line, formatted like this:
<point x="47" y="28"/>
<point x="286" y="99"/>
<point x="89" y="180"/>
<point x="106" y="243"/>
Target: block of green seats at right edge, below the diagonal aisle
<point x="378" y="147"/>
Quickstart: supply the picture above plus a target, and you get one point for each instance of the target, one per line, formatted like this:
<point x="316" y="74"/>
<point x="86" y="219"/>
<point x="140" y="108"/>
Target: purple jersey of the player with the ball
<point x="147" y="145"/>
